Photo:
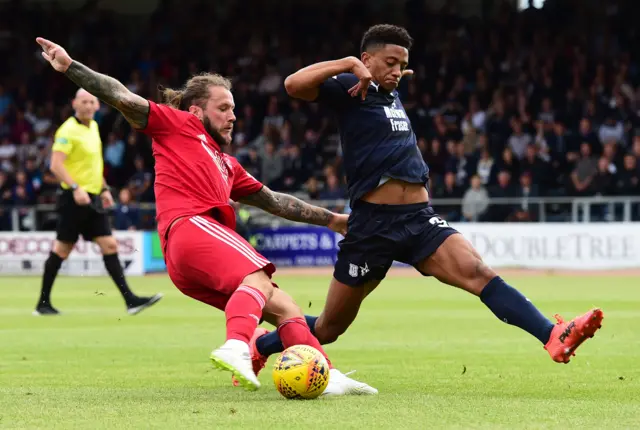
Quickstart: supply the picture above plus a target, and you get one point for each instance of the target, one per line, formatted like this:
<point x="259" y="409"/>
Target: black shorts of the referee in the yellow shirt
<point x="90" y="221"/>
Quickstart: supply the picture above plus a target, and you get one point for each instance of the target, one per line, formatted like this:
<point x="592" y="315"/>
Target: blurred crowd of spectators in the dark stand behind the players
<point x="514" y="103"/>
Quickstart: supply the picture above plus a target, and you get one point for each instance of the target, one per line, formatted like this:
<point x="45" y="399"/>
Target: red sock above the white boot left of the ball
<point x="243" y="312"/>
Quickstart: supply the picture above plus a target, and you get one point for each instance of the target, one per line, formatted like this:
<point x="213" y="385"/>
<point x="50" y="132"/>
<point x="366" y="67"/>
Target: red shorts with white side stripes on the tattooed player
<point x="208" y="261"/>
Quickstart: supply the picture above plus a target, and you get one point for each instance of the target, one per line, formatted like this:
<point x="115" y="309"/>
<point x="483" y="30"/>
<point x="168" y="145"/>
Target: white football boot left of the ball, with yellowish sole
<point x="234" y="357"/>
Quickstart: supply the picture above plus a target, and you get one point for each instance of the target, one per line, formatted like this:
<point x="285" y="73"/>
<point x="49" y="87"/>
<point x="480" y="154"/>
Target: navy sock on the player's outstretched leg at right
<point x="509" y="305"/>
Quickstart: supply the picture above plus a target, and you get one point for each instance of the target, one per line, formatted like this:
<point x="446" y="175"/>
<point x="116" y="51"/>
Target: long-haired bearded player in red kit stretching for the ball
<point x="206" y="259"/>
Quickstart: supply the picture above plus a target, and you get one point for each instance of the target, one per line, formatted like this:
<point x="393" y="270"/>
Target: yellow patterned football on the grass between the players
<point x="301" y="372"/>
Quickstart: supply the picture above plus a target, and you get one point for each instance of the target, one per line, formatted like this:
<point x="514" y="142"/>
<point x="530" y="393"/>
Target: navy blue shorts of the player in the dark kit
<point x="379" y="234"/>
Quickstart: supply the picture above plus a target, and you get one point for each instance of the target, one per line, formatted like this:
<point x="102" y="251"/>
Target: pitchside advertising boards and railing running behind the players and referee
<point x="568" y="233"/>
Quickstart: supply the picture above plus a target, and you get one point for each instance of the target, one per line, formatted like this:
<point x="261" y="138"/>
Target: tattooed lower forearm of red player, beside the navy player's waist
<point x="289" y="207"/>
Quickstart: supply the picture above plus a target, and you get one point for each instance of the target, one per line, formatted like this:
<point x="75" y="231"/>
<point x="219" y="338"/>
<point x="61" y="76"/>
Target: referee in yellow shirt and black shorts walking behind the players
<point x="76" y="161"/>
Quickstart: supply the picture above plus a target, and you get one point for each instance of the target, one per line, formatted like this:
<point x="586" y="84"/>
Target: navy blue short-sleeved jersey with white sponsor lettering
<point x="376" y="136"/>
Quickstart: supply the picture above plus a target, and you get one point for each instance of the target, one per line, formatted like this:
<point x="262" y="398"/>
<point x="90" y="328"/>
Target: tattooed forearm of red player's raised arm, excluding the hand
<point x="111" y="91"/>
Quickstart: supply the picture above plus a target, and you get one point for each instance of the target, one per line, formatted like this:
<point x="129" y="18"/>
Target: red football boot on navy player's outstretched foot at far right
<point x="566" y="337"/>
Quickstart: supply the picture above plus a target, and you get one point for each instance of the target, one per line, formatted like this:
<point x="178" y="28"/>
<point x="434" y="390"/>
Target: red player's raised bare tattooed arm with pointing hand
<point x="111" y="91"/>
